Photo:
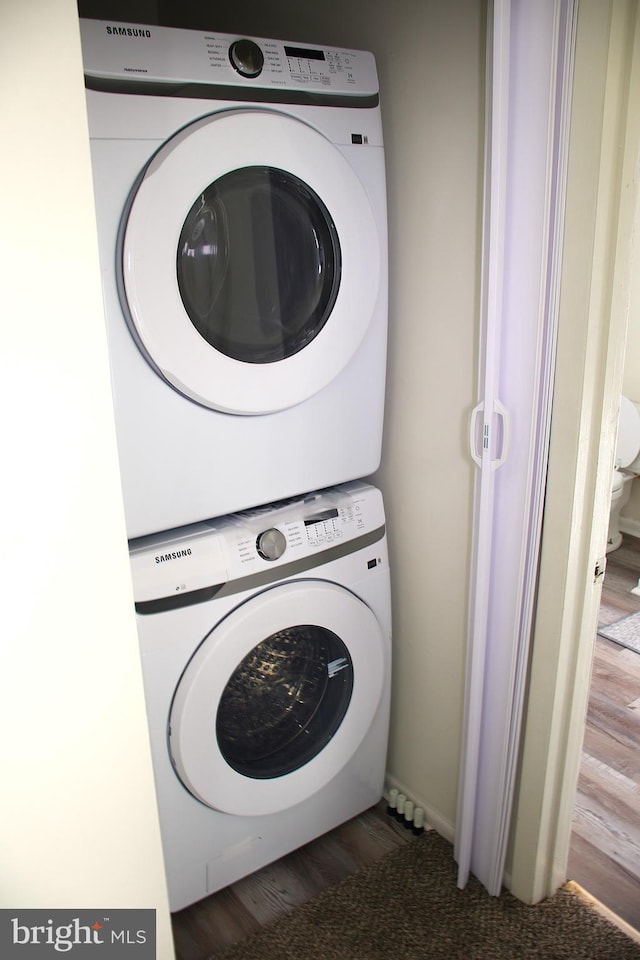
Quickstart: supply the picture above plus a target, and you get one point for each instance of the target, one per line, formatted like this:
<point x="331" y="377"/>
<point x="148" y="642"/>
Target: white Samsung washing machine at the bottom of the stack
<point x="266" y="653"/>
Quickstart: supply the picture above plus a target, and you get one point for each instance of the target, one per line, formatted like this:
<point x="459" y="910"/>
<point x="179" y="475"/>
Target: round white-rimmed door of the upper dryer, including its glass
<point x="250" y="261"/>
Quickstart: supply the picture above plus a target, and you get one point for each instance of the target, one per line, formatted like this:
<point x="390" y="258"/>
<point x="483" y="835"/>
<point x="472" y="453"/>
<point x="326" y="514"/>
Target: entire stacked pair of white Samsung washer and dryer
<point x="240" y="199"/>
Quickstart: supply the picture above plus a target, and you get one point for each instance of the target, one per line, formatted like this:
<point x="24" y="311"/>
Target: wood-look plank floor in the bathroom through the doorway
<point x="605" y="843"/>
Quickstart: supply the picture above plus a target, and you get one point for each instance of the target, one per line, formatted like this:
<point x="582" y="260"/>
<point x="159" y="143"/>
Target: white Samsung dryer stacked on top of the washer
<point x="241" y="210"/>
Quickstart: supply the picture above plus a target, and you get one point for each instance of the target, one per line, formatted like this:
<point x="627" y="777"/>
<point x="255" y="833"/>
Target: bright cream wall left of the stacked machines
<point x="78" y="823"/>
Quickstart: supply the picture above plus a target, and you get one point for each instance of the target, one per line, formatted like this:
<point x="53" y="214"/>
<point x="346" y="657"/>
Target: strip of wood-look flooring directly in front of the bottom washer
<point x="235" y="913"/>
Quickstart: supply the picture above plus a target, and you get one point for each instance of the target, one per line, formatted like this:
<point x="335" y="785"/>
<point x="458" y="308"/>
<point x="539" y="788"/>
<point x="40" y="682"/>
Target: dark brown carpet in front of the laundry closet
<point x="407" y="907"/>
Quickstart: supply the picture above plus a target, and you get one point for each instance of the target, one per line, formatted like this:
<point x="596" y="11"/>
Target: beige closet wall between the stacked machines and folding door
<point x="434" y="137"/>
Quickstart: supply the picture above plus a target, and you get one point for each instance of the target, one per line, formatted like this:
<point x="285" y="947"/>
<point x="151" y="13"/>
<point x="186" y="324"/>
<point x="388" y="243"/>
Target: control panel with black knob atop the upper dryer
<point x="167" y="55"/>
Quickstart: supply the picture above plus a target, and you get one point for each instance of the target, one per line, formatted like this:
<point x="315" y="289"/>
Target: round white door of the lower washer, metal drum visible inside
<point x="278" y="698"/>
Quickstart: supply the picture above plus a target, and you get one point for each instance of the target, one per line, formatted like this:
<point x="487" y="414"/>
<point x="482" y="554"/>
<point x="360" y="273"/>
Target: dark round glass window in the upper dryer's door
<point x="258" y="265"/>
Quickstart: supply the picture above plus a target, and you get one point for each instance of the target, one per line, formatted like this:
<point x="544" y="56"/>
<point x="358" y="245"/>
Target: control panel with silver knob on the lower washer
<point x="253" y="547"/>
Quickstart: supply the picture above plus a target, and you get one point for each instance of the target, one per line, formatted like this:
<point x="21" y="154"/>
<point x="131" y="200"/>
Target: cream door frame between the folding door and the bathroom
<point x="602" y="209"/>
